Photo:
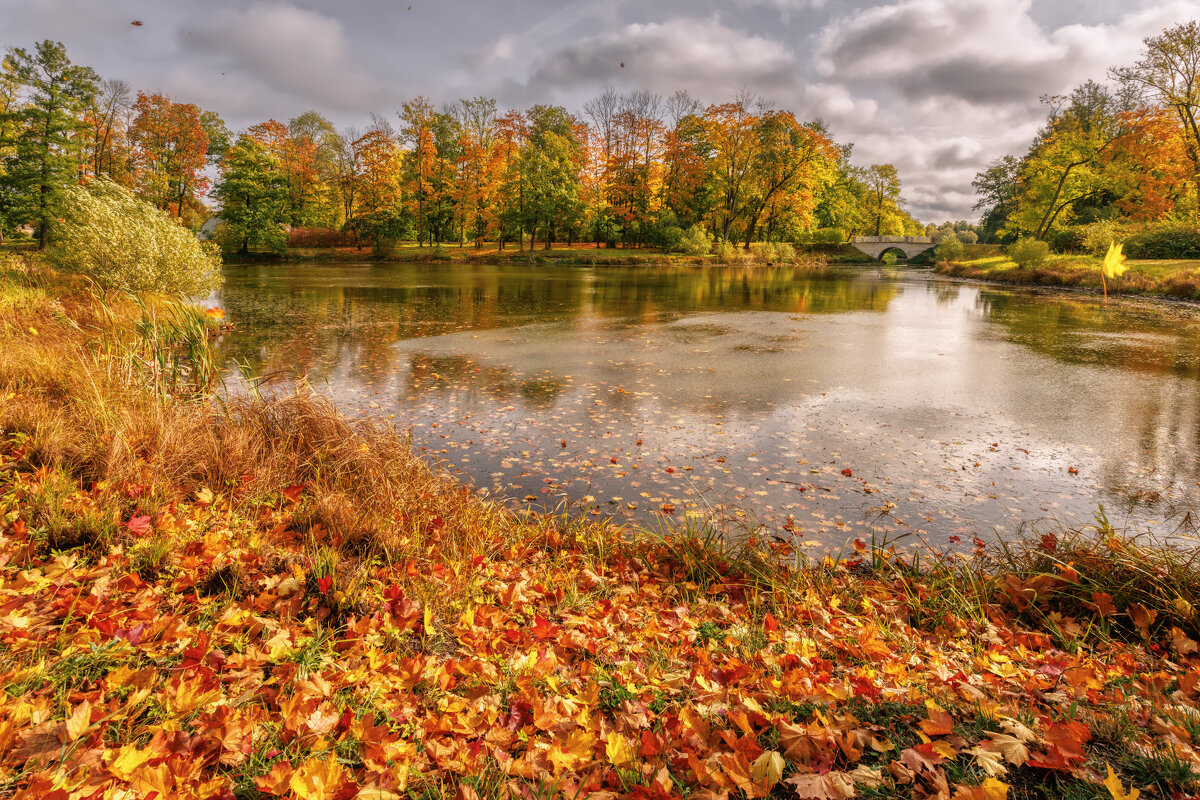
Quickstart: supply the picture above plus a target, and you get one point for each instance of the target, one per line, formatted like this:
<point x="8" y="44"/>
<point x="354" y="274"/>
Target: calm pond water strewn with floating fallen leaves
<point x="809" y="404"/>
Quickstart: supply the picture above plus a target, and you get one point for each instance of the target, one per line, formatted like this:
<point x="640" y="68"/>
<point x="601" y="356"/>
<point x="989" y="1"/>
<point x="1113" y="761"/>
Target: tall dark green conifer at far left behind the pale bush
<point x="47" y="131"/>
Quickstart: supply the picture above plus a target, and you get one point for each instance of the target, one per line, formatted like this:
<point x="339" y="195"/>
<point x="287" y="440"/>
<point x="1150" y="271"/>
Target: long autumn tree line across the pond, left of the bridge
<point x="631" y="170"/>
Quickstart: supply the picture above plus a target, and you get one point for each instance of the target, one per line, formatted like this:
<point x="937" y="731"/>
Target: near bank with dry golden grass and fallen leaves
<point x="263" y="599"/>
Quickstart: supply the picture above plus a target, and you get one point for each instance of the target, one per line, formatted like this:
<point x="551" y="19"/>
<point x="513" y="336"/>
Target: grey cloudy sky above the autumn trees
<point x="939" y="88"/>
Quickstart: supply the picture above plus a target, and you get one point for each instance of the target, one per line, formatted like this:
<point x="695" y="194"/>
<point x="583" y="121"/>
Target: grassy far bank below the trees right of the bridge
<point x="1174" y="279"/>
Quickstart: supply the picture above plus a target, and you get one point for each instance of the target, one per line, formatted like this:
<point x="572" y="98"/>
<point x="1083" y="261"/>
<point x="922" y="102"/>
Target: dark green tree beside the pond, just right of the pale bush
<point x="254" y="199"/>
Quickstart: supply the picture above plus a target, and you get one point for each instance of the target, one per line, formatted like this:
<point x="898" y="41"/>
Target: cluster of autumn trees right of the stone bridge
<point x="1112" y="160"/>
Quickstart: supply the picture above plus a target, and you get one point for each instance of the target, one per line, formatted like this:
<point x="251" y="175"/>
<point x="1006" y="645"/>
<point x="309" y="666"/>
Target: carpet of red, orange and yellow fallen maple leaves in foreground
<point x="218" y="649"/>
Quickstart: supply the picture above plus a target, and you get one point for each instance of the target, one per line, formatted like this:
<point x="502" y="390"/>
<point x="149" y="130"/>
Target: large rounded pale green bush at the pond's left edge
<point x="123" y="243"/>
